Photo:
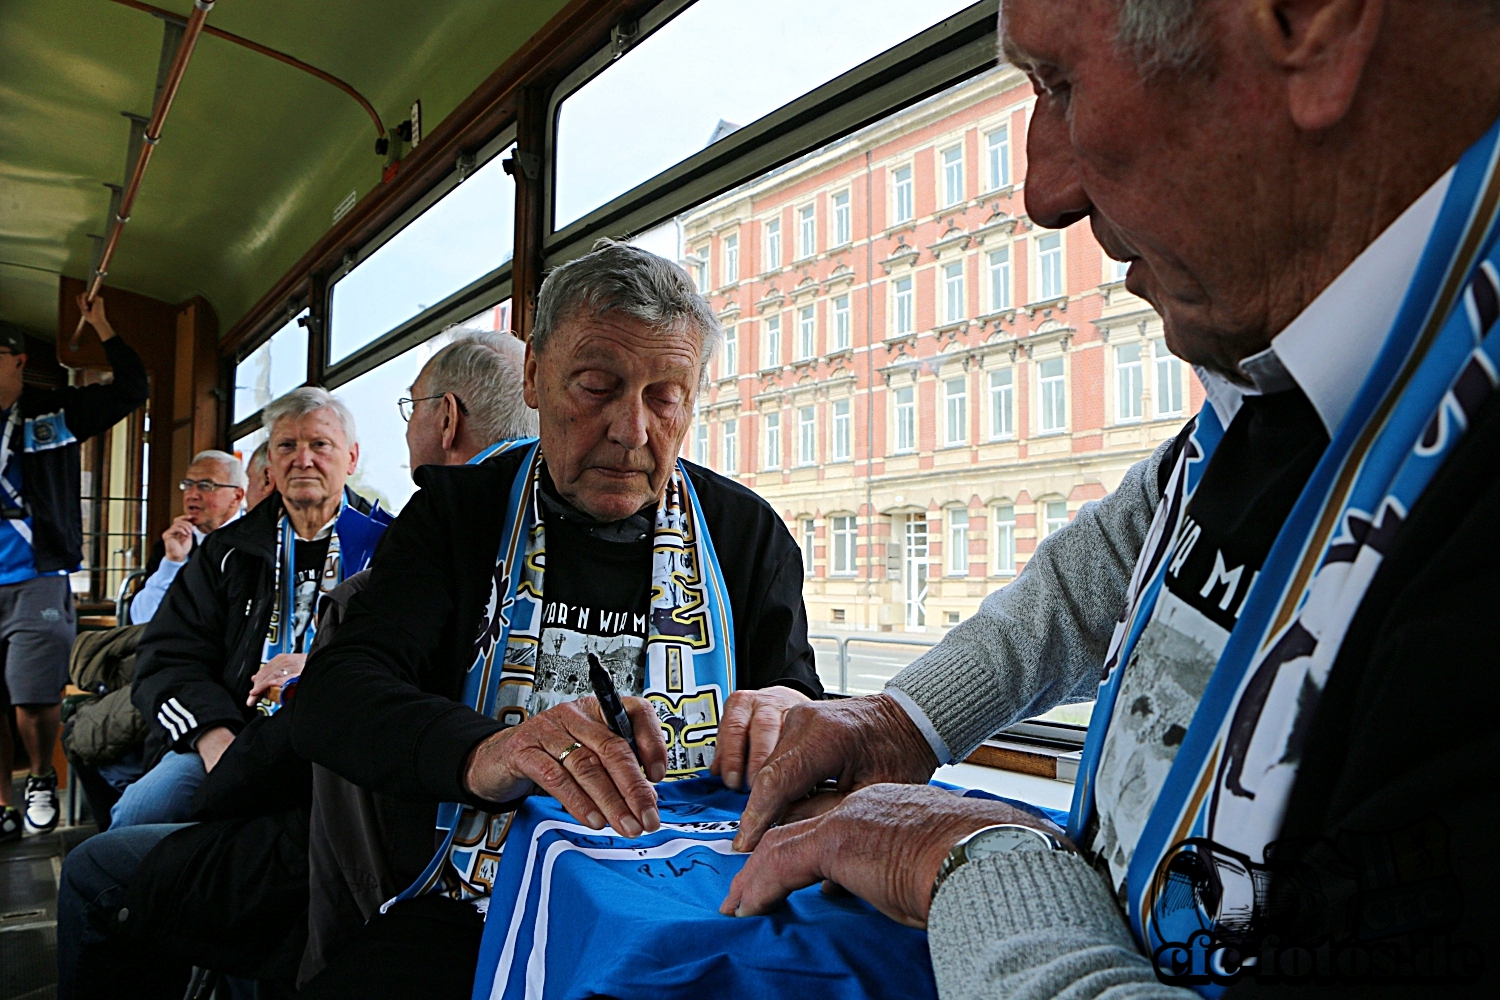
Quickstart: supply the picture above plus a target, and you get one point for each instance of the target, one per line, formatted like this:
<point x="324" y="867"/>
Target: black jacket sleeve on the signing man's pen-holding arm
<point x="362" y="710"/>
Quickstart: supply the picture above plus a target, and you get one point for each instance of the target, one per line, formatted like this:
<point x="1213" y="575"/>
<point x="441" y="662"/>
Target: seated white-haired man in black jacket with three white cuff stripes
<point x="238" y="623"/>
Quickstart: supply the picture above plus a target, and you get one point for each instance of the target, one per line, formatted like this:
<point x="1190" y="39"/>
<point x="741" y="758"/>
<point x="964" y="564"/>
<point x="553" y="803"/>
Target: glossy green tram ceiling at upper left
<point x="257" y="155"/>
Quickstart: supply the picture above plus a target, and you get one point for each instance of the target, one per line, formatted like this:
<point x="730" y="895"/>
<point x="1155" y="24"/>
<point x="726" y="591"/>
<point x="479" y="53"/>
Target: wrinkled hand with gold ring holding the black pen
<point x="598" y="780"/>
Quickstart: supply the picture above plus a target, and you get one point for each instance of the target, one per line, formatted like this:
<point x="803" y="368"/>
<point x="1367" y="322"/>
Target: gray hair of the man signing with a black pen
<point x="637" y="283"/>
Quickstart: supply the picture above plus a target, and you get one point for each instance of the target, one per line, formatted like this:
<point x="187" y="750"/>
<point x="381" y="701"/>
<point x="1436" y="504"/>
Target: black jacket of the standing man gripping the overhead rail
<point x="58" y="422"/>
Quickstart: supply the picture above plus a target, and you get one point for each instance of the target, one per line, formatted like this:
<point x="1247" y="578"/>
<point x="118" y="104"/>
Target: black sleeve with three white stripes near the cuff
<point x="182" y="657"/>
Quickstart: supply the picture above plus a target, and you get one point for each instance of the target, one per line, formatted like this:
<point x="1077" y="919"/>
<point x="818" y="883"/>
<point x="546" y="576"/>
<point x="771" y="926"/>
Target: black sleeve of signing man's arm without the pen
<point x="779" y="653"/>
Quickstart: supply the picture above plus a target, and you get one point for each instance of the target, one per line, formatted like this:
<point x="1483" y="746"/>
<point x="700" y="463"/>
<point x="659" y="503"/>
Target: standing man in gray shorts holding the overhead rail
<point x="41" y="543"/>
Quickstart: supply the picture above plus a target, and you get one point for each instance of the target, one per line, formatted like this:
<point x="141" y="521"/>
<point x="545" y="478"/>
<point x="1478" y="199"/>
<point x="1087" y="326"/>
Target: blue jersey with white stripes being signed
<point x="583" y="914"/>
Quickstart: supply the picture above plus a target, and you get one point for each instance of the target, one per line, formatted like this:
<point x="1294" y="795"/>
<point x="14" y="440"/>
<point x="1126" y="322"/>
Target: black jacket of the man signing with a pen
<point x="379" y="705"/>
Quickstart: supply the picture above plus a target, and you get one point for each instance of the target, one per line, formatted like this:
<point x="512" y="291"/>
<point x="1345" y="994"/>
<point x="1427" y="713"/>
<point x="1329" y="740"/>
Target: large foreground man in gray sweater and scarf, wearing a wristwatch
<point x="1309" y="194"/>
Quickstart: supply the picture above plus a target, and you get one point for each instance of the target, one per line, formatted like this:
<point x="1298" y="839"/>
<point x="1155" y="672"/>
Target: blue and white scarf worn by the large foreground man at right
<point x="1226" y="795"/>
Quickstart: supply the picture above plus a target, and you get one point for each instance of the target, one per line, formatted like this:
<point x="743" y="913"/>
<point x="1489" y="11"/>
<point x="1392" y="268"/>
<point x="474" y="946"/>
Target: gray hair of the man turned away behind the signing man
<point x="487" y="371"/>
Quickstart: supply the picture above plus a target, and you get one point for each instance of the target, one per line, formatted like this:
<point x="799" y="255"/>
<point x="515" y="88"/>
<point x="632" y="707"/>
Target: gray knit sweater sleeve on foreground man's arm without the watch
<point x="1040" y="641"/>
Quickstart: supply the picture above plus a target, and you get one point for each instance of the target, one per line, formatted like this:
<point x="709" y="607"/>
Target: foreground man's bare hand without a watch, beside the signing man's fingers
<point x="859" y="741"/>
